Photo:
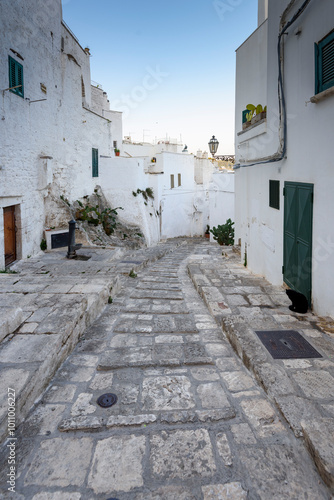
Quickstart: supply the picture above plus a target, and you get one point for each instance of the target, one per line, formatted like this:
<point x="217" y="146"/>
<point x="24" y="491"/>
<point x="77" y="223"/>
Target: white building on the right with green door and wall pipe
<point x="284" y="161"/>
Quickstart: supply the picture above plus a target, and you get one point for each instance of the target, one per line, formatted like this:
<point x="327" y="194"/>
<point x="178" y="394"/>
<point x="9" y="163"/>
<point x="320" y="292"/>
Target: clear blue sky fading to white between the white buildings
<point x="169" y="66"/>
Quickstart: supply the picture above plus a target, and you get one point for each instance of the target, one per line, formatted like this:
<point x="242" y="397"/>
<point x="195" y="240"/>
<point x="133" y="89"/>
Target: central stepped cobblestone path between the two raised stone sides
<point x="190" y="422"/>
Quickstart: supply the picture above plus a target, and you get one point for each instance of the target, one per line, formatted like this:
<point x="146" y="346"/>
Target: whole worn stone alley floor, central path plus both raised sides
<point x="189" y="423"/>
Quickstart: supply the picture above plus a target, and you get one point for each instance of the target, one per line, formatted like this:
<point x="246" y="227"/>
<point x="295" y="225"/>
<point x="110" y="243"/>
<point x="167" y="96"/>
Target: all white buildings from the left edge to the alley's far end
<point x="58" y="138"/>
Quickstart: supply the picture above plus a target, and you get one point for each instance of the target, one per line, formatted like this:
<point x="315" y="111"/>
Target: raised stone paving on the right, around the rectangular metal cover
<point x="301" y="389"/>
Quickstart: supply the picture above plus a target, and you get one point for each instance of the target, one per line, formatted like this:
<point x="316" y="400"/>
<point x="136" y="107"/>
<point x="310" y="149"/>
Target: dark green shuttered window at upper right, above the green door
<point x="324" y="63"/>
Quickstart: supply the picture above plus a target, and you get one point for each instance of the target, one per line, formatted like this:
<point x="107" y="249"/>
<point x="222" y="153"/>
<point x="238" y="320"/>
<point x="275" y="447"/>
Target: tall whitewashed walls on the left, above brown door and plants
<point x="47" y="146"/>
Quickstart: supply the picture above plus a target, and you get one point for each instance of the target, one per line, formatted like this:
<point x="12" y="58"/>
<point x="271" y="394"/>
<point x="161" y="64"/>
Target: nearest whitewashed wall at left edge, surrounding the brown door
<point x="33" y="30"/>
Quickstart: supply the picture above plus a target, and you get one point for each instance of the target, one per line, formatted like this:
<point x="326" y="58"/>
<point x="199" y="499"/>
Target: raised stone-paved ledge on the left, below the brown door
<point x="50" y="297"/>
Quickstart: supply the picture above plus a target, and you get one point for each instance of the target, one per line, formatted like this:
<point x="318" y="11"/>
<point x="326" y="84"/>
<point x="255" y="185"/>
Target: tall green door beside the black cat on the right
<point x="298" y="218"/>
